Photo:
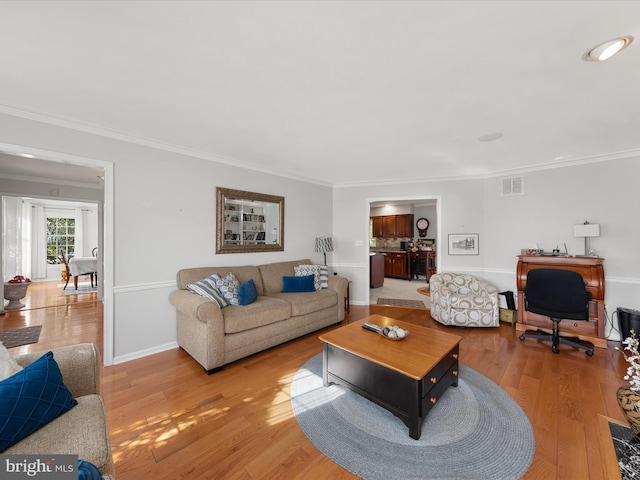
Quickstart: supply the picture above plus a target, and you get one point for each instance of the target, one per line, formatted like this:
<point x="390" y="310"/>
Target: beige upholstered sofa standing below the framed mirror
<point x="216" y="336"/>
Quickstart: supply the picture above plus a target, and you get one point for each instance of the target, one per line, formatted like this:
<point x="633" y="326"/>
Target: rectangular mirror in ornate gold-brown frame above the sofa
<point x="248" y="222"/>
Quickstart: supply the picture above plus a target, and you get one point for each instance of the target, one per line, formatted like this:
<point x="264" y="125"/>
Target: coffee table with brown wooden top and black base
<point x="405" y="377"/>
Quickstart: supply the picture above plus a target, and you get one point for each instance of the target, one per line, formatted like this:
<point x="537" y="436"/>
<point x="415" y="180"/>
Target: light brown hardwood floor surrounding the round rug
<point x="170" y="420"/>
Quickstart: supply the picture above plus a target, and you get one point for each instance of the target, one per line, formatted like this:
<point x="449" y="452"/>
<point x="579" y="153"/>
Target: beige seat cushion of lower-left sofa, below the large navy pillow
<point x="81" y="431"/>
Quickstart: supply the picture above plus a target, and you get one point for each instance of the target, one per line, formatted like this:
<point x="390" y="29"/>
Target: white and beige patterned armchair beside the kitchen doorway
<point x="463" y="300"/>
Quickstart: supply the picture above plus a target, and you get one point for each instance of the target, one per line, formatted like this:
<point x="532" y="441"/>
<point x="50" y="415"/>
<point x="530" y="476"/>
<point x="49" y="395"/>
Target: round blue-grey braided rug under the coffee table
<point x="475" y="431"/>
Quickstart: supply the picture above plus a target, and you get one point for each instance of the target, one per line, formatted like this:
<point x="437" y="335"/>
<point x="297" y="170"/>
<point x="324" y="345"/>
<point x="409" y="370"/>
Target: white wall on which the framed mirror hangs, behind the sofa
<point x="164" y="220"/>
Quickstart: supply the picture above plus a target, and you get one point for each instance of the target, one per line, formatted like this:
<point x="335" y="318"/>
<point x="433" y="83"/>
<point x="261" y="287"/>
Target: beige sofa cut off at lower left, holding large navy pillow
<point x="82" y="430"/>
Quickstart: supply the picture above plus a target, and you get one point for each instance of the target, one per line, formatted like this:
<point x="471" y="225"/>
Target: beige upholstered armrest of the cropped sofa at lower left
<point x="80" y="366"/>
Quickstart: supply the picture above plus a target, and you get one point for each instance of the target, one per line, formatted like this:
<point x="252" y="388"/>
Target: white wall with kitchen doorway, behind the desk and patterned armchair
<point x="554" y="200"/>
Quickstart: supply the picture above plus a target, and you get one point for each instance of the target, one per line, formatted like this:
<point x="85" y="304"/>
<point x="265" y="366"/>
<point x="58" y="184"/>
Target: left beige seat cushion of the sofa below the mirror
<point x="263" y="311"/>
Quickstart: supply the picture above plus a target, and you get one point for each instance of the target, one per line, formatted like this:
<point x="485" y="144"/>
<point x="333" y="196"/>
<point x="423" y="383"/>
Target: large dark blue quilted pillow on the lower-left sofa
<point x="32" y="398"/>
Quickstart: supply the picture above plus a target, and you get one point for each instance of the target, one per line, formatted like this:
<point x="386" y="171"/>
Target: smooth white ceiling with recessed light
<point x="337" y="92"/>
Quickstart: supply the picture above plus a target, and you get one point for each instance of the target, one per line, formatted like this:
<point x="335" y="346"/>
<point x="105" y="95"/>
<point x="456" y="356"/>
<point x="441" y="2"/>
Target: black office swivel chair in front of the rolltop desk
<point x="557" y="294"/>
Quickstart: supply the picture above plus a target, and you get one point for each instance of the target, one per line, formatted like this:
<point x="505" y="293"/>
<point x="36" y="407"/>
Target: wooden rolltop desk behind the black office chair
<point x="592" y="271"/>
